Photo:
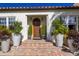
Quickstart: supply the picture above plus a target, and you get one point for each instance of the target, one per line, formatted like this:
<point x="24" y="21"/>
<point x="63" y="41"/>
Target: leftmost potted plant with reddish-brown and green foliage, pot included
<point x="5" y="35"/>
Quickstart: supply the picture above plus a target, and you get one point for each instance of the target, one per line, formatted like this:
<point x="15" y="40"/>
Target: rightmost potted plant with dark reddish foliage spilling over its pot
<point x="73" y="40"/>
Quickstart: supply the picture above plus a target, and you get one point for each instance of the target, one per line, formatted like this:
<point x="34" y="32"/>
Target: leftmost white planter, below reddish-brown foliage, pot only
<point x="5" y="45"/>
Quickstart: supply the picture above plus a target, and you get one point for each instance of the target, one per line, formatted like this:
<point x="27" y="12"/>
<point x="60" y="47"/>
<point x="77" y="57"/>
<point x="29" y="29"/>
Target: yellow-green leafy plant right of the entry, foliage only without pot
<point x="59" y="27"/>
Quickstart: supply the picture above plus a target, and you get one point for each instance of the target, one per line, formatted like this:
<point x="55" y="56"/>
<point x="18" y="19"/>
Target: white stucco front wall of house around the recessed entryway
<point x="22" y="16"/>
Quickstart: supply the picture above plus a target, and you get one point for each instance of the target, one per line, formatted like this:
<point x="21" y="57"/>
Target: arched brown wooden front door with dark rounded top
<point x="36" y="28"/>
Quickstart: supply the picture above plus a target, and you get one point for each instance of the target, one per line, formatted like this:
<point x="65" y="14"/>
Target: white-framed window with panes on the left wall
<point x="6" y="21"/>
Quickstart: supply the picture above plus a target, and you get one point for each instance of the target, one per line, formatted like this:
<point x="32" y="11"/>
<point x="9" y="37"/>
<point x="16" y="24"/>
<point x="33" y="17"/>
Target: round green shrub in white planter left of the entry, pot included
<point x="16" y="28"/>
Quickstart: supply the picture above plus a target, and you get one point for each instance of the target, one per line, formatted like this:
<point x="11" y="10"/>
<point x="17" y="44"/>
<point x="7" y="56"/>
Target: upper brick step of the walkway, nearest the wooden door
<point x="30" y="44"/>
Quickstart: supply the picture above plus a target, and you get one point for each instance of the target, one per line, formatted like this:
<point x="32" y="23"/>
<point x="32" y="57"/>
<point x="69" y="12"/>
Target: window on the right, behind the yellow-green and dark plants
<point x="69" y="21"/>
